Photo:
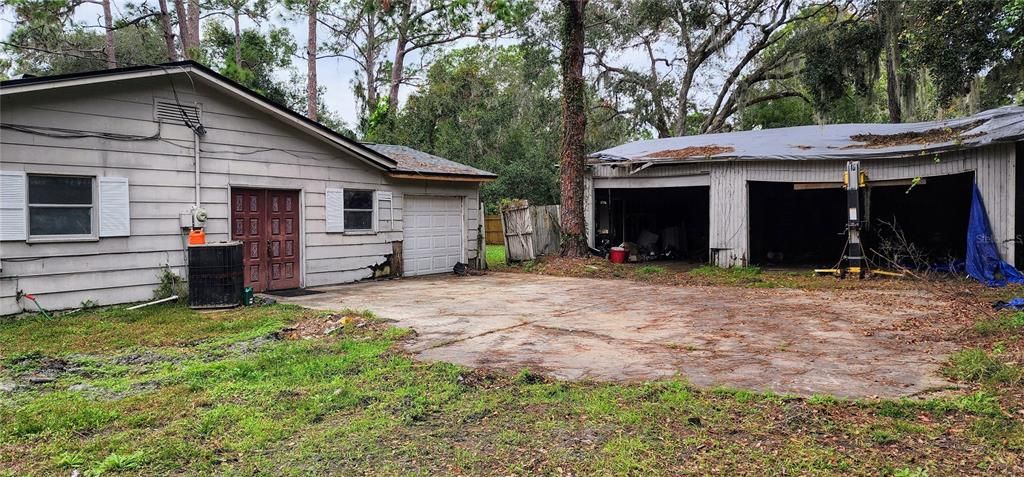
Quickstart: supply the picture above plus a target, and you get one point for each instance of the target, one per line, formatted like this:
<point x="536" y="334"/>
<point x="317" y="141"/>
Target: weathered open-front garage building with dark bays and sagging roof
<point x="776" y="197"/>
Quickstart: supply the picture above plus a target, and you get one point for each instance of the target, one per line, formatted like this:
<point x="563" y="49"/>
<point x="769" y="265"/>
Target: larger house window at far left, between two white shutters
<point x="61" y="206"/>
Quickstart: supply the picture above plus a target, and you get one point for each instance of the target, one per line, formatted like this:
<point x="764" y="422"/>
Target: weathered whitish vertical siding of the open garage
<point x="995" y="168"/>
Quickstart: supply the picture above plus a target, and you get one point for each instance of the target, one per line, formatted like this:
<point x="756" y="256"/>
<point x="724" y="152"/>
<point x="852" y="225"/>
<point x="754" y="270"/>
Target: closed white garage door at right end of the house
<point x="435" y="235"/>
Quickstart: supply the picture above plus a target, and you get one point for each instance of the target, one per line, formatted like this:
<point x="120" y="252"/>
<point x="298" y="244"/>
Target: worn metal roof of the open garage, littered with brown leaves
<point x="839" y="142"/>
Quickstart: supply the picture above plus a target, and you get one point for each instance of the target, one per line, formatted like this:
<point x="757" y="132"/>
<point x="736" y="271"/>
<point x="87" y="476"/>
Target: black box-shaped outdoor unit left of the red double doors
<point x="216" y="279"/>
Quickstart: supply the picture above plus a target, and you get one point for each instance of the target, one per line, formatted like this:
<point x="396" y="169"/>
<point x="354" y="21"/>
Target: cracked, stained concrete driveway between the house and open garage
<point x="788" y="341"/>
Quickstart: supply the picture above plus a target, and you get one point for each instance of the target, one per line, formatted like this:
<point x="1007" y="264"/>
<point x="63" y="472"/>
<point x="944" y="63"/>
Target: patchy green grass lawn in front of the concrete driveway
<point x="166" y="391"/>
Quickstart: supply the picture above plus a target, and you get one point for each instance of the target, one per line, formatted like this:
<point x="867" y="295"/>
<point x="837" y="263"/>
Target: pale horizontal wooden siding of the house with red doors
<point x="242" y="148"/>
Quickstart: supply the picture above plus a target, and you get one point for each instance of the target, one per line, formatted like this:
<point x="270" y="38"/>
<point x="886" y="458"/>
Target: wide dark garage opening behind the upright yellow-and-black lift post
<point x="914" y="224"/>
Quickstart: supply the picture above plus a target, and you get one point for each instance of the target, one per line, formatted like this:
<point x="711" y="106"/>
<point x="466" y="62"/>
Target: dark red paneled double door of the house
<point x="268" y="225"/>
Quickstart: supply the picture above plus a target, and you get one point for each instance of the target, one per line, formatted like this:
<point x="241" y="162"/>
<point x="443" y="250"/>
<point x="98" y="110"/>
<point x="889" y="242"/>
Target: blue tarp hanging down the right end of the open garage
<point x="984" y="263"/>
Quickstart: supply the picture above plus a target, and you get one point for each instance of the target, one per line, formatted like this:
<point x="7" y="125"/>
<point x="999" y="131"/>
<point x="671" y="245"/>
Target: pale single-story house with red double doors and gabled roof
<point x="104" y="174"/>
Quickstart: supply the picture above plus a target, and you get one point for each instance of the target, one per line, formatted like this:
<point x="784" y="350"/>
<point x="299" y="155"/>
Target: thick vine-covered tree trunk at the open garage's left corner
<point x="574" y="242"/>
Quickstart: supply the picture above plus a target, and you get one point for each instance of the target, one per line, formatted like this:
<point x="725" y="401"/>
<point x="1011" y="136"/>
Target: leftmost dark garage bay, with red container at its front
<point x="665" y="224"/>
